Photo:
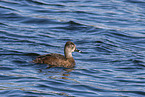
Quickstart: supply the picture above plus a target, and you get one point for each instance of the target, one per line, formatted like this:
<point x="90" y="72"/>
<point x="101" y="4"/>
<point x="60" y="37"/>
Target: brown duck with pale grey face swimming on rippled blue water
<point x="58" y="60"/>
